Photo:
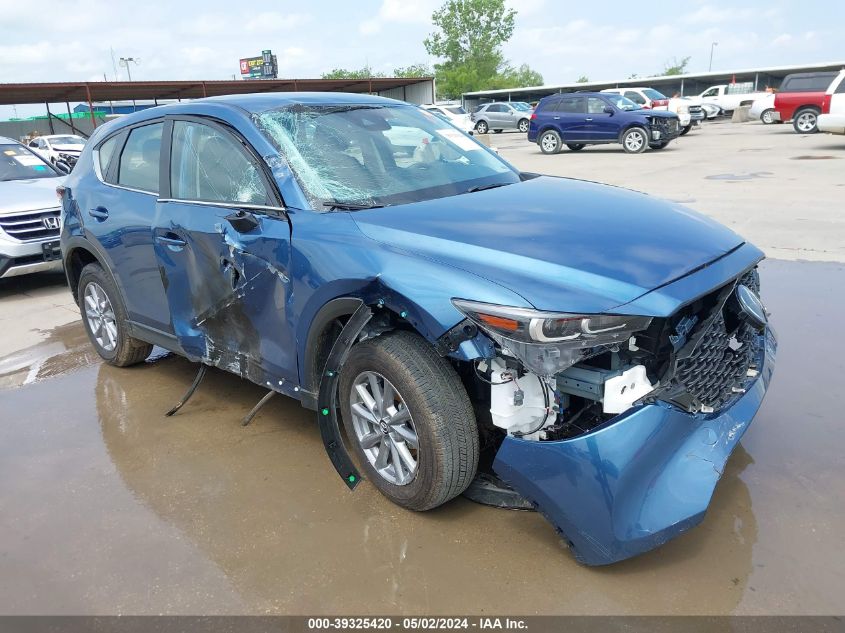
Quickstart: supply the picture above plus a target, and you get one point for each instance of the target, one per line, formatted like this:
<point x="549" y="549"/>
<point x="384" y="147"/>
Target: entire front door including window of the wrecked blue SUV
<point x="223" y="248"/>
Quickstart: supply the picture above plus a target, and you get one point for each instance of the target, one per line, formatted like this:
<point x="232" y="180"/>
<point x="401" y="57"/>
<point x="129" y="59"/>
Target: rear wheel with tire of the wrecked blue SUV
<point x="105" y="320"/>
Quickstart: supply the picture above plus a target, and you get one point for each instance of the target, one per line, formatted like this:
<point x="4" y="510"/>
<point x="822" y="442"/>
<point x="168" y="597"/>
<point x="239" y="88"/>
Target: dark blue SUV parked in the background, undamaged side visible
<point x="590" y="118"/>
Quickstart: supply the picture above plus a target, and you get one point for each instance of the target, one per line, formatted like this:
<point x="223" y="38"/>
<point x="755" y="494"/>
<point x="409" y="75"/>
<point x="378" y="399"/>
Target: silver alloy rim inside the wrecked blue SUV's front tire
<point x="384" y="428"/>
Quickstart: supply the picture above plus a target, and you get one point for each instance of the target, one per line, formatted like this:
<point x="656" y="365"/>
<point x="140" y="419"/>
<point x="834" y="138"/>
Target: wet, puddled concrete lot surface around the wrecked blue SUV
<point x="106" y="506"/>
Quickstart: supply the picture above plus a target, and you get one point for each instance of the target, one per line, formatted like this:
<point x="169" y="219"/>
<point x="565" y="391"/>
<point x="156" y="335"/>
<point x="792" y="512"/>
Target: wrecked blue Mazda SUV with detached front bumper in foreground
<point x="529" y="341"/>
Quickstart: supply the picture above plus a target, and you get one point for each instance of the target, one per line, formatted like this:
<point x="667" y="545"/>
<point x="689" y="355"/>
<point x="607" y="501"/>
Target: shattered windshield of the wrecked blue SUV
<point x="362" y="156"/>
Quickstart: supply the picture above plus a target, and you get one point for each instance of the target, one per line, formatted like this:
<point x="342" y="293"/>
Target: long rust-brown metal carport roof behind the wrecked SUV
<point x="17" y="94"/>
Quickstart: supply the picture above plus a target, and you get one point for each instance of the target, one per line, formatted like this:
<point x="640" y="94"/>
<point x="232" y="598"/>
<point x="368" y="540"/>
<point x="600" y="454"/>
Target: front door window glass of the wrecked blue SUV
<point x="209" y="164"/>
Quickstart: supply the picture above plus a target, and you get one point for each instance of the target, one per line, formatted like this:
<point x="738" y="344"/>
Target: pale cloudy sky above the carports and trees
<point x="73" y="40"/>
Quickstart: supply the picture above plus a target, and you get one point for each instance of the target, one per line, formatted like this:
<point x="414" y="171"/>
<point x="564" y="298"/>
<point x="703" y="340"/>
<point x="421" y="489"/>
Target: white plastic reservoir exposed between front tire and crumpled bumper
<point x="526" y="418"/>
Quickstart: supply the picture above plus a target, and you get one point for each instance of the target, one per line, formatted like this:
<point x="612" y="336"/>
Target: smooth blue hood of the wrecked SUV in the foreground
<point x="561" y="244"/>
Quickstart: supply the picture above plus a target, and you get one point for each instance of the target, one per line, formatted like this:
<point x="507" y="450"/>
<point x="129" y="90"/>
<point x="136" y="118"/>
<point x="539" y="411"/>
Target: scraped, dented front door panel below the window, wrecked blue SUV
<point x="228" y="289"/>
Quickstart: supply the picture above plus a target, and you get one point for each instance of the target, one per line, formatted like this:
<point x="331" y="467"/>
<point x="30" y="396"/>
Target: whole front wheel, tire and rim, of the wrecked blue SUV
<point x="410" y="420"/>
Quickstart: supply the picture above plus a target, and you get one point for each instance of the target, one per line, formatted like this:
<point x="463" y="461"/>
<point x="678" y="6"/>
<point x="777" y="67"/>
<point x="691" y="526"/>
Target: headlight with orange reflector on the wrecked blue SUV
<point x="549" y="342"/>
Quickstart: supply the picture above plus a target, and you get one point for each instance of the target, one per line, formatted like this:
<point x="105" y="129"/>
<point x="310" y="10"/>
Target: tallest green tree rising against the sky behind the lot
<point x="468" y="39"/>
